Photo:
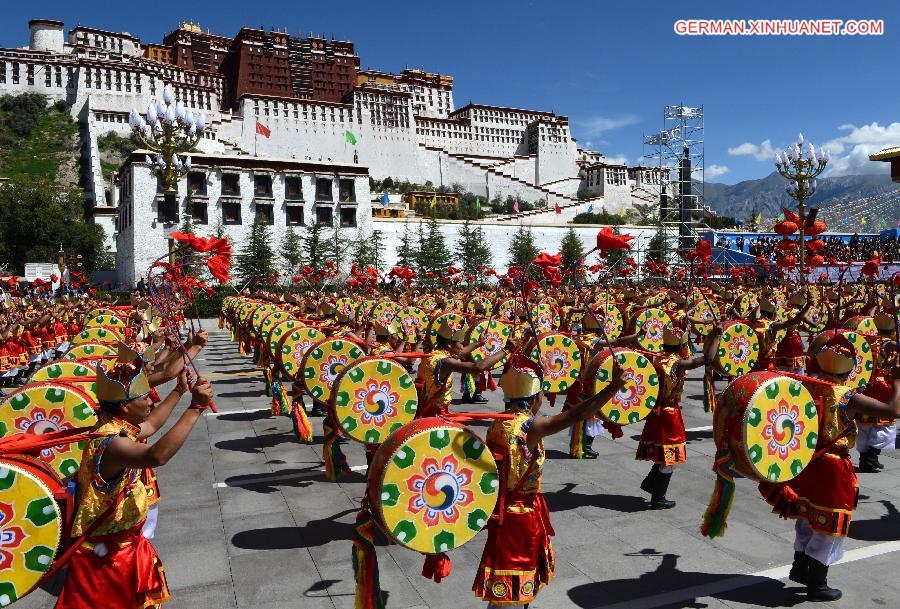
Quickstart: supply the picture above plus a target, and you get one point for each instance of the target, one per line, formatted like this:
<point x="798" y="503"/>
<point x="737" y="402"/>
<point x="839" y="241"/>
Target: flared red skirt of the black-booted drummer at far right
<point x="824" y="494"/>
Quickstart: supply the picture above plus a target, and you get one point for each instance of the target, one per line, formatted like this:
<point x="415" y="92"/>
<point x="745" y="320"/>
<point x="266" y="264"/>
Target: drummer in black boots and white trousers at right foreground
<point x="823" y="497"/>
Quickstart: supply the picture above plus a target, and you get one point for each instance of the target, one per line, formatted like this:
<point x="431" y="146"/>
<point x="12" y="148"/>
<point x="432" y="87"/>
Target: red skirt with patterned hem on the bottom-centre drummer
<point x="518" y="557"/>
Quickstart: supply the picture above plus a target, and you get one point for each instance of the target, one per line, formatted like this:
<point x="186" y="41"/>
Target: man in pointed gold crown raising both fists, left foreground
<point x="116" y="567"/>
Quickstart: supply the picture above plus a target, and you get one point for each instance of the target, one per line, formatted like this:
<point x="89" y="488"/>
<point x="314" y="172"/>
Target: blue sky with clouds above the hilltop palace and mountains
<point x="610" y="67"/>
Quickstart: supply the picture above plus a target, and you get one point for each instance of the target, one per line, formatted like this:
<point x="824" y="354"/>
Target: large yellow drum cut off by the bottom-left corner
<point x="32" y="525"/>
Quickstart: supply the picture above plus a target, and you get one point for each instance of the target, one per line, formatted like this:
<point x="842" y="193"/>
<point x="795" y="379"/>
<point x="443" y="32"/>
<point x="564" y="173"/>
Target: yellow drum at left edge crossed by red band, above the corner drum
<point x="42" y="408"/>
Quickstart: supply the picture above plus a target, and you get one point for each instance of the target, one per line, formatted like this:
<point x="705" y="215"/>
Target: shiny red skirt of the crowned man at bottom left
<point x="129" y="576"/>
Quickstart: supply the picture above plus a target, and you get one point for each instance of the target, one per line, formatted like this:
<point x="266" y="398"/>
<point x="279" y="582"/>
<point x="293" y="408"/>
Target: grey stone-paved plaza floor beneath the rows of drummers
<point x="248" y="520"/>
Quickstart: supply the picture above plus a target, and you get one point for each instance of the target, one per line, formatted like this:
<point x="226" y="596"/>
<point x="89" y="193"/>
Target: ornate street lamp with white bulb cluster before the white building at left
<point x="169" y="130"/>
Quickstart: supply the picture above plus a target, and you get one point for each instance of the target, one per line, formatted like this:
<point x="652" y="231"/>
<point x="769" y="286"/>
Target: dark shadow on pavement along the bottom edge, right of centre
<point x="756" y="591"/>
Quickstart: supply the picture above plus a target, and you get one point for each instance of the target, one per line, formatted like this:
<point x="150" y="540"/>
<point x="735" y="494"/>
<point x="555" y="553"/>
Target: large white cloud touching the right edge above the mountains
<point x="850" y="152"/>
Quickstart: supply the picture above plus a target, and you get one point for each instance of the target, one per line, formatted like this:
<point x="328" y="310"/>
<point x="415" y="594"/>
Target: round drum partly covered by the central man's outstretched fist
<point x="640" y="394"/>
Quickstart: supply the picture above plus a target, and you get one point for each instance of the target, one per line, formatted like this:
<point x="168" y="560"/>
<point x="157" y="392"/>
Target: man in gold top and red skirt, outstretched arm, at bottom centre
<point x="518" y="557"/>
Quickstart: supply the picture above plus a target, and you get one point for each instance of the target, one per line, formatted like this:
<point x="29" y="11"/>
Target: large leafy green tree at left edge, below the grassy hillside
<point x="37" y="217"/>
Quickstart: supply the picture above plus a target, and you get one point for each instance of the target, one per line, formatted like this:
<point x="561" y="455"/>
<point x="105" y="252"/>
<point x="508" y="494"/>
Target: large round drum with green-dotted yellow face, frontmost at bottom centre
<point x="433" y="485"/>
